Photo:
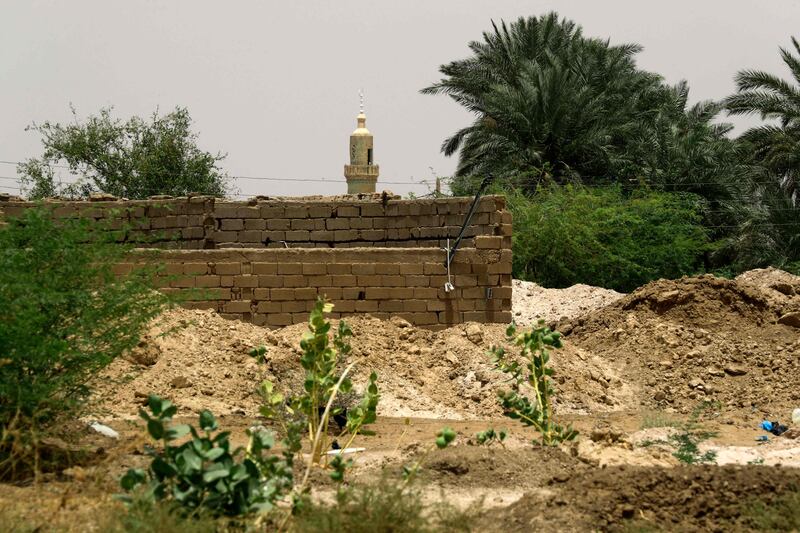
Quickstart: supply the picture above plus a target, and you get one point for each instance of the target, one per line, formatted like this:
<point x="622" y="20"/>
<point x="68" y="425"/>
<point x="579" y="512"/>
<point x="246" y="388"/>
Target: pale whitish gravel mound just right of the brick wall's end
<point x="531" y="302"/>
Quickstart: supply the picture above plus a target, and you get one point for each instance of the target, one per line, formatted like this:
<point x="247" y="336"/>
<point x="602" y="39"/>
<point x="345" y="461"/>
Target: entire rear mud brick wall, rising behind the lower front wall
<point x="344" y="222"/>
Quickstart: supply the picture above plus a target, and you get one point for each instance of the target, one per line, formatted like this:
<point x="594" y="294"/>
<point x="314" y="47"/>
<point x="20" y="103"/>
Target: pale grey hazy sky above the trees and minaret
<point x="275" y="84"/>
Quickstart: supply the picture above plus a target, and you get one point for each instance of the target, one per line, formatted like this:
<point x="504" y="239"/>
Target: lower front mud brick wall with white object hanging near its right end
<point x="277" y="287"/>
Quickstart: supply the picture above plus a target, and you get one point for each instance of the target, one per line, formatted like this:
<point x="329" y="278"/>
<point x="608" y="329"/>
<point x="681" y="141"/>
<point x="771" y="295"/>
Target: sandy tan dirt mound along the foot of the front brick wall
<point x="200" y="360"/>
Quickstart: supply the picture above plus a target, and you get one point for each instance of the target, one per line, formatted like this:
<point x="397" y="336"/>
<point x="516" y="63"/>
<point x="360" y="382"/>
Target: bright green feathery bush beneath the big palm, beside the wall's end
<point x="606" y="237"/>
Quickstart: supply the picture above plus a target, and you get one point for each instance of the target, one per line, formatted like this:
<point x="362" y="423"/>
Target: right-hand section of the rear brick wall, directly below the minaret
<point x="356" y="223"/>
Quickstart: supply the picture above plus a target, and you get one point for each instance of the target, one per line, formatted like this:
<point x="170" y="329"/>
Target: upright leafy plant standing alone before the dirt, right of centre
<point x="535" y="348"/>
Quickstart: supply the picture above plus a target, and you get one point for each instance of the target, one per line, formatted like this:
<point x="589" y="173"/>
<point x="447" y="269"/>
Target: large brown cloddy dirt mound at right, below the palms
<point x="681" y="341"/>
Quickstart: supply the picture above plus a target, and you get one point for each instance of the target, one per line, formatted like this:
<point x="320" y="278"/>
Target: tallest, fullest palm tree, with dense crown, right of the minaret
<point x="547" y="101"/>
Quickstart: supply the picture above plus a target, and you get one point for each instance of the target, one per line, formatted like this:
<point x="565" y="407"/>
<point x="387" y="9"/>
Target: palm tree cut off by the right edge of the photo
<point x="775" y="146"/>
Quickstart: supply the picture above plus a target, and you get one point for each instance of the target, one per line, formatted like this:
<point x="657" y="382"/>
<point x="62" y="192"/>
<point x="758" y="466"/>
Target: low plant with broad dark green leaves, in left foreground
<point x="203" y="474"/>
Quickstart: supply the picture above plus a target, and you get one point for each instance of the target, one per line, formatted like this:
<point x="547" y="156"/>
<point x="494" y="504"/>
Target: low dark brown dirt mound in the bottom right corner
<point x="698" y="498"/>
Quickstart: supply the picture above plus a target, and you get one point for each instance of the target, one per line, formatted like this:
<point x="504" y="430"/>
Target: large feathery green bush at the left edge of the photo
<point x="65" y="316"/>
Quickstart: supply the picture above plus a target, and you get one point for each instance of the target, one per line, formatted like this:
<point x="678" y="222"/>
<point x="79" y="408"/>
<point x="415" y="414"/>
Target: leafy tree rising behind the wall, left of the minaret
<point x="133" y="159"/>
